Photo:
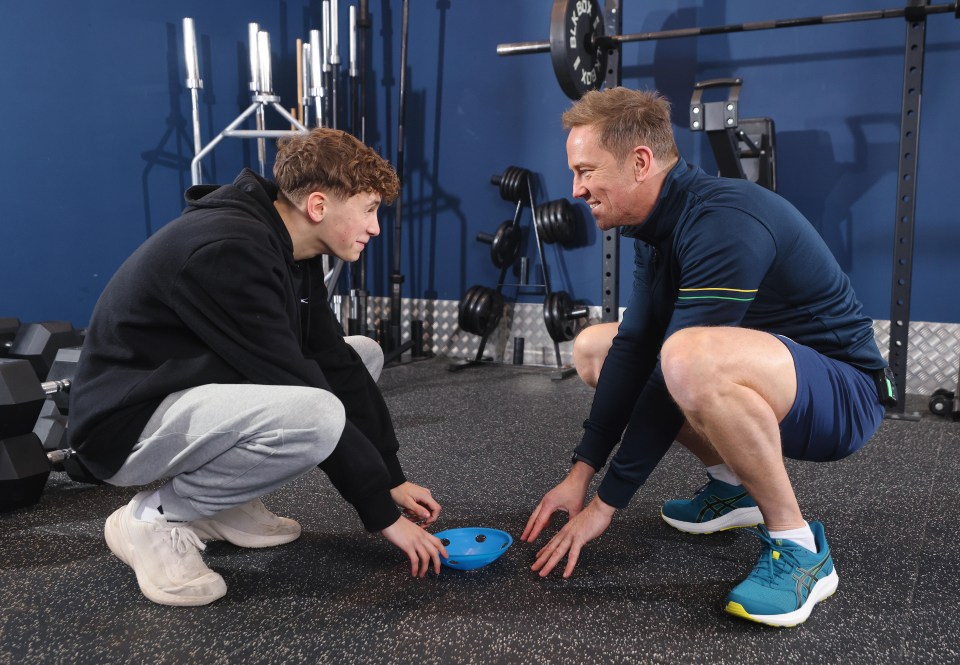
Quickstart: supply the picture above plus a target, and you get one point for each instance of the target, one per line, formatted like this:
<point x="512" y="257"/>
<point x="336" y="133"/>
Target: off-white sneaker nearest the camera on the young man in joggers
<point x="165" y="557"/>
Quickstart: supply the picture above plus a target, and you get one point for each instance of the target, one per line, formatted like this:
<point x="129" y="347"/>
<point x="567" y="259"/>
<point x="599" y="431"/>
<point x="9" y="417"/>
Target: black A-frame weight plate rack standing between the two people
<point x="515" y="185"/>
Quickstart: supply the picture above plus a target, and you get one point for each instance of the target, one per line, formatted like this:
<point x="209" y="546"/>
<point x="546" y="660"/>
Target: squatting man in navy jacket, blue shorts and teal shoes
<point x="742" y="340"/>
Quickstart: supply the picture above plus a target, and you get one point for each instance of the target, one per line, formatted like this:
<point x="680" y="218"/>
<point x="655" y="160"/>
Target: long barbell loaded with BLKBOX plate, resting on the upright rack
<point x="579" y="49"/>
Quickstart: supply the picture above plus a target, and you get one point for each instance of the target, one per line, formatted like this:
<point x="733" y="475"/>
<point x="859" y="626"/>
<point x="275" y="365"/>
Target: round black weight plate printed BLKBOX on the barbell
<point x="578" y="62"/>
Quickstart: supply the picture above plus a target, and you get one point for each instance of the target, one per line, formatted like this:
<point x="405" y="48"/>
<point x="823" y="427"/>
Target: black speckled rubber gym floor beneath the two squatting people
<point x="489" y="441"/>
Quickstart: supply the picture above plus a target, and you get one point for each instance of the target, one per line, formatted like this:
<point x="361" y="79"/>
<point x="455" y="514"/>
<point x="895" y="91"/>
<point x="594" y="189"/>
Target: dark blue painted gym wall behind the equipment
<point x="98" y="140"/>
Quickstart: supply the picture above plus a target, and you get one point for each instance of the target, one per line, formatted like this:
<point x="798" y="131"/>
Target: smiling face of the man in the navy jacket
<point x="607" y="185"/>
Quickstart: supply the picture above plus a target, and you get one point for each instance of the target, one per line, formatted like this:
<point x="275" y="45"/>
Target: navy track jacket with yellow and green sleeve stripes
<point x="714" y="252"/>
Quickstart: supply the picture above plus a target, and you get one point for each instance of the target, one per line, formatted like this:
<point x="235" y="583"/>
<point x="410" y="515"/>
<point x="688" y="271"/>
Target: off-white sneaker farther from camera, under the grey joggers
<point x="249" y="525"/>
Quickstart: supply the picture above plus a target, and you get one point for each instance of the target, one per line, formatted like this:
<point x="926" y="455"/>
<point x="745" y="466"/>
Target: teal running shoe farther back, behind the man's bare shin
<point x="716" y="506"/>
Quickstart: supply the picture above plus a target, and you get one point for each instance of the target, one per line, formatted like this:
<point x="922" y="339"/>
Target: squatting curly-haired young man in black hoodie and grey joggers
<point x="213" y="362"/>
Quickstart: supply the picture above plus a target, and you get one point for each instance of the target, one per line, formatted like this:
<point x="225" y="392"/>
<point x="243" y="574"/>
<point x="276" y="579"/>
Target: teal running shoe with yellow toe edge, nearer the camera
<point x="786" y="583"/>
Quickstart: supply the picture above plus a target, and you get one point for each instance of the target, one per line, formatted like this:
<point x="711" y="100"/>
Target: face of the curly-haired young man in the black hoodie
<point x="348" y="225"/>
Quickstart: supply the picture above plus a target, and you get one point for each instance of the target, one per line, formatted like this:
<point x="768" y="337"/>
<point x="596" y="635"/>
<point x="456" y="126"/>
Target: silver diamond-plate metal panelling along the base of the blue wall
<point x="933" y="354"/>
